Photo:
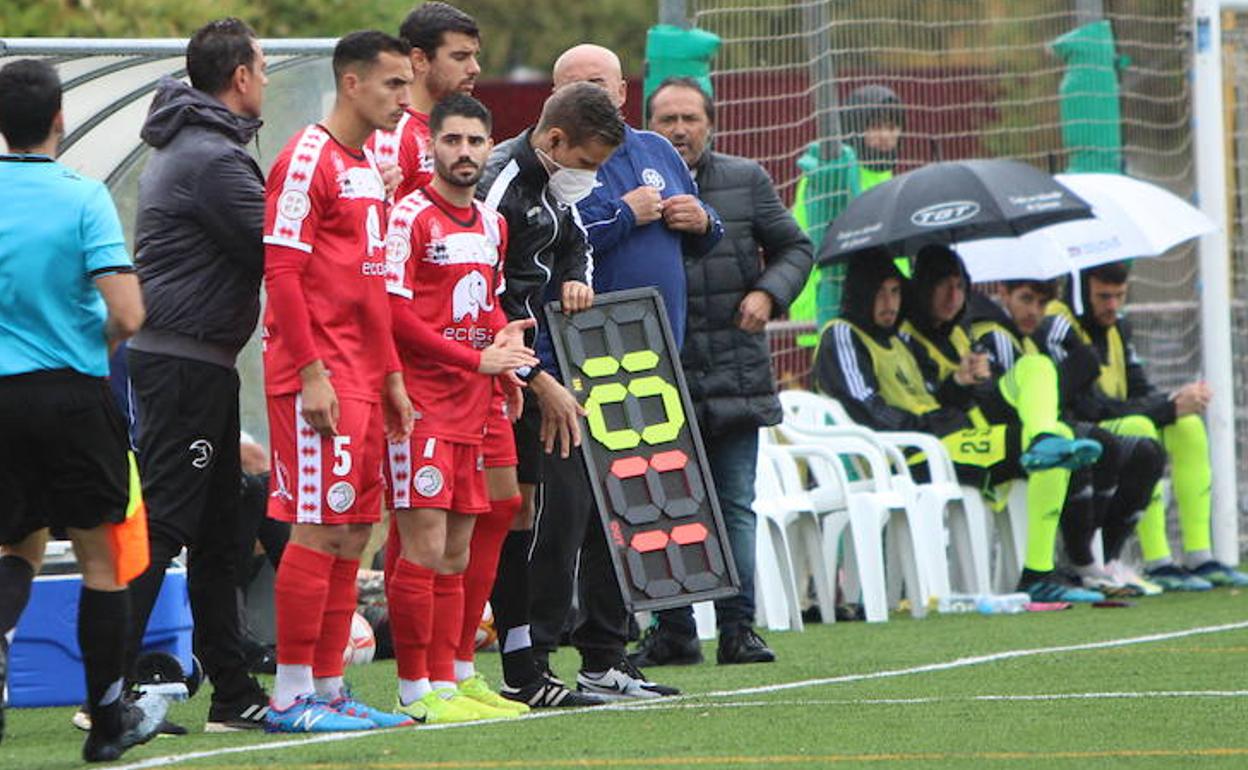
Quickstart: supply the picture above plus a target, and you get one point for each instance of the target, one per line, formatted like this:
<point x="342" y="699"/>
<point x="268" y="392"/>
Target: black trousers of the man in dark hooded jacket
<point x="193" y="487"/>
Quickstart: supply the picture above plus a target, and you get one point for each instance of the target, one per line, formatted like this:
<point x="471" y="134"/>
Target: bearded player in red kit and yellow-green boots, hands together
<point x="445" y="260"/>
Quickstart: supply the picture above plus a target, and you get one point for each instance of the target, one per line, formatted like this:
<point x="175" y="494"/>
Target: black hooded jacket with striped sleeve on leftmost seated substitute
<point x="847" y="371"/>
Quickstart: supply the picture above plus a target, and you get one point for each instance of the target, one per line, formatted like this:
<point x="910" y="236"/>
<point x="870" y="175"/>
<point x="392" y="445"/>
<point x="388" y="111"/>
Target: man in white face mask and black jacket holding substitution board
<point x="535" y="182"/>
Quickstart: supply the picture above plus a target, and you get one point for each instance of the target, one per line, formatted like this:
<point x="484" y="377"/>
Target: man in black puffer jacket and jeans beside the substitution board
<point x="748" y="279"/>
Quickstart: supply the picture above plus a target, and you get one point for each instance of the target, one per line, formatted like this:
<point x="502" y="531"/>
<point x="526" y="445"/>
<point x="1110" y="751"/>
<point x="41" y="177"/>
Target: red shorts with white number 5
<point x="326" y="480"/>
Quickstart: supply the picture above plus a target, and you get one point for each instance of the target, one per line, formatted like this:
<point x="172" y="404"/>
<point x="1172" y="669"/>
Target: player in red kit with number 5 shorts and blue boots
<point x="333" y="379"/>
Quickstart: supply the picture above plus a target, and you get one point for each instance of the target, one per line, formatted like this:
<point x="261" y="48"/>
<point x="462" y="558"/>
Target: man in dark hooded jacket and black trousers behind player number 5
<point x="200" y="260"/>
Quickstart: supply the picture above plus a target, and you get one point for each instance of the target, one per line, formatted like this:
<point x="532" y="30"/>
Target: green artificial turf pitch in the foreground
<point x="1170" y="703"/>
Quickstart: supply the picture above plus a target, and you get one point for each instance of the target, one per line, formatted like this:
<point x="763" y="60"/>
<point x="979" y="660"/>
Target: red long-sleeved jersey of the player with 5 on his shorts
<point x="324" y="217"/>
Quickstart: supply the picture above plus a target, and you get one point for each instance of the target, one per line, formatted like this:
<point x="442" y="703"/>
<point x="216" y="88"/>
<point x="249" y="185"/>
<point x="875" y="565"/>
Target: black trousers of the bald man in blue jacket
<point x="568" y="525"/>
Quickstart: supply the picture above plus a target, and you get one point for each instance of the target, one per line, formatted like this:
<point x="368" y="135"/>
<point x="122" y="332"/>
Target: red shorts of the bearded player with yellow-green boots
<point x="430" y="472"/>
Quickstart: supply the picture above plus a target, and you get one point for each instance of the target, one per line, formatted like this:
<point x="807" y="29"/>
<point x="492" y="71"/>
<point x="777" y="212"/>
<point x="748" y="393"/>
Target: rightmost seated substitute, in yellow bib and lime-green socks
<point x="1126" y="402"/>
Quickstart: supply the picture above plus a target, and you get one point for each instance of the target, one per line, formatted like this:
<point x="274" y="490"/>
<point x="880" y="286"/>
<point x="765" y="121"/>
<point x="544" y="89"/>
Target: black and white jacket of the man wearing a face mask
<point x="546" y="241"/>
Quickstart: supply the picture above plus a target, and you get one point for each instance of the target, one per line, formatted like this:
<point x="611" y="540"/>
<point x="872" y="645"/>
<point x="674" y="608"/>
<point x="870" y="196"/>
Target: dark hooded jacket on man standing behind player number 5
<point x="198" y="236"/>
